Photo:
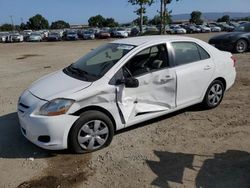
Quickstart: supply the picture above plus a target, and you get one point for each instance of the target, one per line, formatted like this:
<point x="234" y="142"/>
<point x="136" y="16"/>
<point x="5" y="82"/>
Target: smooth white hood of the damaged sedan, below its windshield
<point x="57" y="85"/>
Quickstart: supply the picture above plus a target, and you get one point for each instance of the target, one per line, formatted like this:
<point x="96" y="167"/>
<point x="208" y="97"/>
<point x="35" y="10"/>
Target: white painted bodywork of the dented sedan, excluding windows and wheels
<point x="159" y="92"/>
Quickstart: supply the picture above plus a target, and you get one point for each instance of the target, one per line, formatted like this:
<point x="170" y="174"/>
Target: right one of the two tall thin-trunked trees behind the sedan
<point x="165" y="16"/>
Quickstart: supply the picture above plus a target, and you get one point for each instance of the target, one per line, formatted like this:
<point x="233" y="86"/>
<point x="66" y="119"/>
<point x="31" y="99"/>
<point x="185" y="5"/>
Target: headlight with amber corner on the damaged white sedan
<point x="56" y="107"/>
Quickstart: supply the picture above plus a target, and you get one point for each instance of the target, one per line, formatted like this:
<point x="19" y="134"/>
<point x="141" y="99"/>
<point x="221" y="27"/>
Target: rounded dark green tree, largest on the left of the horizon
<point x="37" y="22"/>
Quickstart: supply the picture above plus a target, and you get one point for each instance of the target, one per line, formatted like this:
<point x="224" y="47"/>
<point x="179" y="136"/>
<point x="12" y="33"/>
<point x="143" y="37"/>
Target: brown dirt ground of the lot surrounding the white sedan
<point x="189" y="148"/>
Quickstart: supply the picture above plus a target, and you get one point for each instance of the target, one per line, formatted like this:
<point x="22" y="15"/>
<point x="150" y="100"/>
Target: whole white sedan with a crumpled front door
<point x="120" y="84"/>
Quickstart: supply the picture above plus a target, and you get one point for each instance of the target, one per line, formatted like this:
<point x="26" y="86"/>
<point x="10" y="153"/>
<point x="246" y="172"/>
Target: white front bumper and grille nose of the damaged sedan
<point x="36" y="127"/>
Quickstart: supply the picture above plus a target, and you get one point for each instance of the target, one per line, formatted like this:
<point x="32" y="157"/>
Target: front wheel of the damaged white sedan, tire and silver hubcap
<point x="92" y="131"/>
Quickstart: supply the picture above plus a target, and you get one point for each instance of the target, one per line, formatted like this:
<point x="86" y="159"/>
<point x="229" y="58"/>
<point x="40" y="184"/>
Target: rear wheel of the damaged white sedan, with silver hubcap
<point x="216" y="89"/>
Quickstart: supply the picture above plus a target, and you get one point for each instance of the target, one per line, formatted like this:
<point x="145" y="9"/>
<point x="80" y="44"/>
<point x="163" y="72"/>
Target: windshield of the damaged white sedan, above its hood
<point x="95" y="64"/>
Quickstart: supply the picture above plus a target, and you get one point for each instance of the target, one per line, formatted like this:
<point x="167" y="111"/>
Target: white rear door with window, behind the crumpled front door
<point x="194" y="69"/>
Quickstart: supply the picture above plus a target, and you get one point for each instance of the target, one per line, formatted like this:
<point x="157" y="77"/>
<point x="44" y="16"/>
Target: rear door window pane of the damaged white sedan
<point x="185" y="52"/>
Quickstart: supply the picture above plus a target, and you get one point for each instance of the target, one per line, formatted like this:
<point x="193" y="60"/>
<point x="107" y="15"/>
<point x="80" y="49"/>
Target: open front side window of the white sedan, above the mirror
<point x="149" y="59"/>
